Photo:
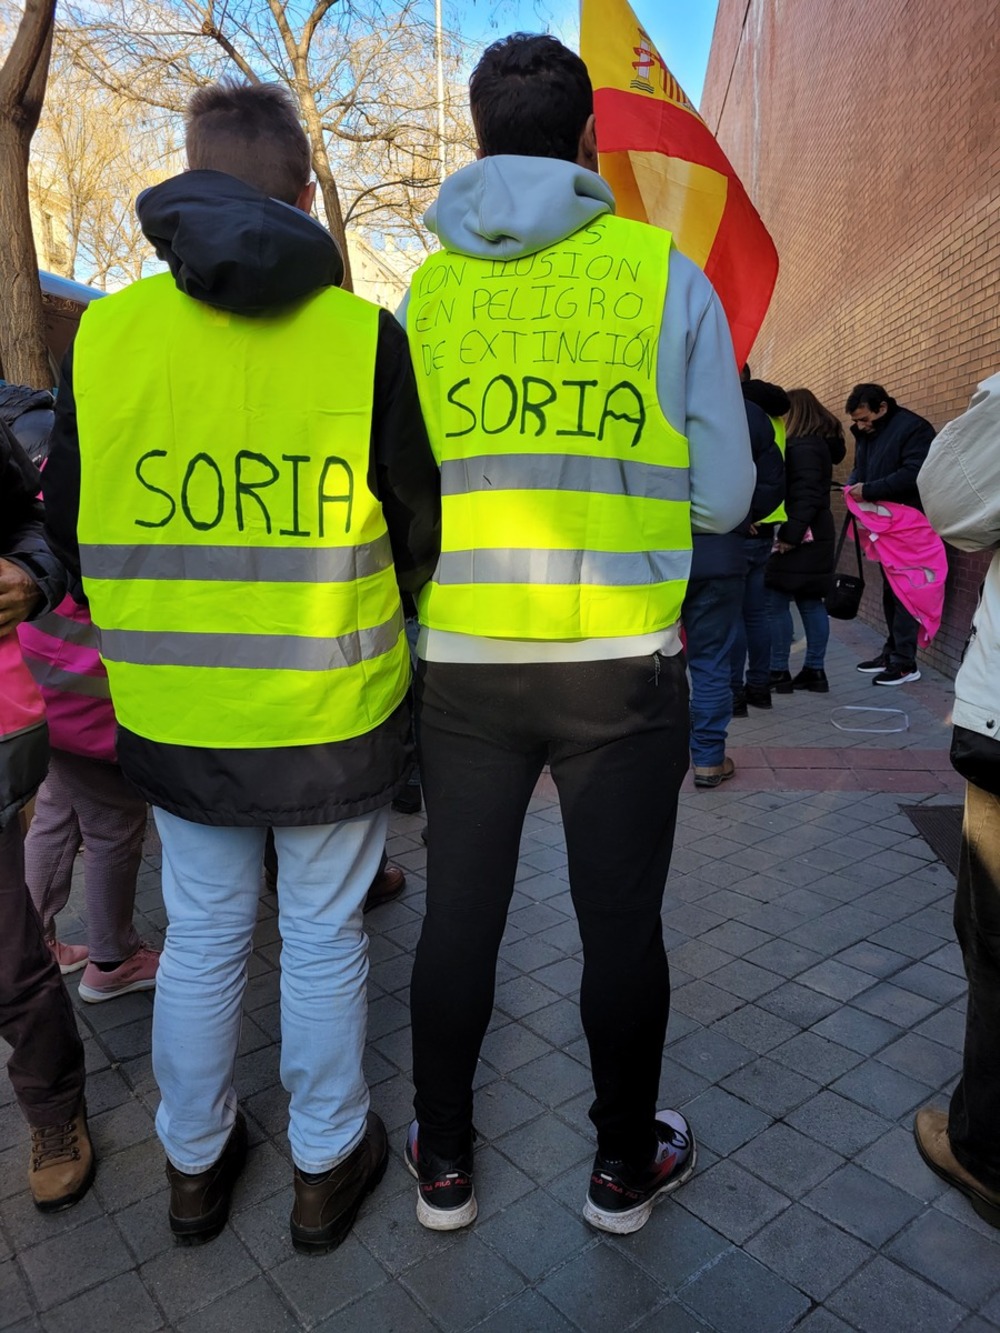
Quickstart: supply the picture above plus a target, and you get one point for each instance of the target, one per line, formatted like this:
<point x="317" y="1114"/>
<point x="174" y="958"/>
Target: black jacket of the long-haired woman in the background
<point x="807" y="569"/>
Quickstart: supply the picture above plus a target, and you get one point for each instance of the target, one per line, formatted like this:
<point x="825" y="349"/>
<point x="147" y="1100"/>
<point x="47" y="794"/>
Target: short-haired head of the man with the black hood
<point x="253" y="133"/>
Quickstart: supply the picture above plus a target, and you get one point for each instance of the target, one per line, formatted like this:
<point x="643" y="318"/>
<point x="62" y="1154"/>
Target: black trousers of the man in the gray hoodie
<point x="615" y="735"/>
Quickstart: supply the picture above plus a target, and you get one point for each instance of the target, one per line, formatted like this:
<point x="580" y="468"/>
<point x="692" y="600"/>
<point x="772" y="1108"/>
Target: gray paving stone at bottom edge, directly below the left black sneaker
<point x="463" y="1286"/>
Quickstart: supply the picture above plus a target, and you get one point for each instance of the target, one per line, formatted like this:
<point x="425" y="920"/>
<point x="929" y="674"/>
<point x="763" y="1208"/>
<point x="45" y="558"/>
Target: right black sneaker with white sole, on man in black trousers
<point x="621" y="1200"/>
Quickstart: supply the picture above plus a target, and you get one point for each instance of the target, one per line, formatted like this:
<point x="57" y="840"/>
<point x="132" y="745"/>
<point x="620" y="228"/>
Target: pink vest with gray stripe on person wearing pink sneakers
<point x="61" y="650"/>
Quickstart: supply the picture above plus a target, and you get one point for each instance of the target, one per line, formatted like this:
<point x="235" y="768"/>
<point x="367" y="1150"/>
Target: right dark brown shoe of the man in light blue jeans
<point x="326" y="1210"/>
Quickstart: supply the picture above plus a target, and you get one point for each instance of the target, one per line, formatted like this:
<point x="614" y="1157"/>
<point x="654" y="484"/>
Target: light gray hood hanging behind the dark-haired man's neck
<point x="506" y="207"/>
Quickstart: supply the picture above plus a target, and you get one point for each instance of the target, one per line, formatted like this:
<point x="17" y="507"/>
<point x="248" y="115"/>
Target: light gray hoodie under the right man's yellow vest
<point x="511" y="207"/>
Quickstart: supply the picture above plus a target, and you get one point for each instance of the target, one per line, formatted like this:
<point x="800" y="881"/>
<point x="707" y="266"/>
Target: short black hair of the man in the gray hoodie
<point x="531" y="97"/>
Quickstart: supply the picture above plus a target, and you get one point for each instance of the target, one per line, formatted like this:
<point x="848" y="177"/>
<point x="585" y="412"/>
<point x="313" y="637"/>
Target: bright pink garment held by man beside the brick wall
<point x="913" y="555"/>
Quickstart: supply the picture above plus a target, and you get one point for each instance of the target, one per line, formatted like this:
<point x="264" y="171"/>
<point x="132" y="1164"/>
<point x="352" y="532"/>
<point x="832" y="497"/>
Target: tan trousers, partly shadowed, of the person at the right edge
<point x="974" y="1122"/>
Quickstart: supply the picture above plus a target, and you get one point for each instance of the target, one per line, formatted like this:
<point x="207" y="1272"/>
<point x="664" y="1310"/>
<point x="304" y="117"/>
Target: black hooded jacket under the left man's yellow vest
<point x="234" y="249"/>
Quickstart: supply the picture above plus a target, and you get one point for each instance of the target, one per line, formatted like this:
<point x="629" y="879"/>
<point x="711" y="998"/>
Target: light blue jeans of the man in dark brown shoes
<point x="211" y="882"/>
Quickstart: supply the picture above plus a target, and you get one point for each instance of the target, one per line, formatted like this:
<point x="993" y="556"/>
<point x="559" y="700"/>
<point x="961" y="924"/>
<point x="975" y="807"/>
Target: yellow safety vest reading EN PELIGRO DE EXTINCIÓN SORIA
<point x="566" y="507"/>
